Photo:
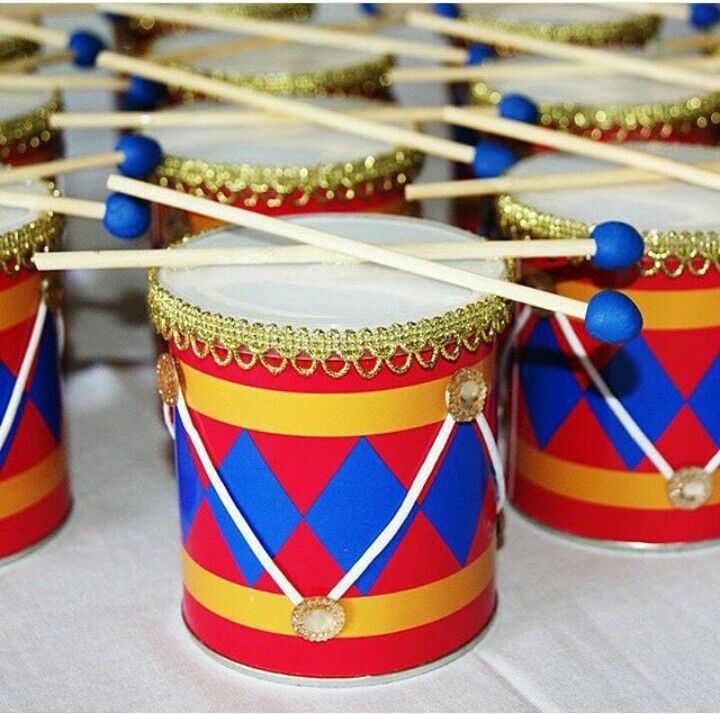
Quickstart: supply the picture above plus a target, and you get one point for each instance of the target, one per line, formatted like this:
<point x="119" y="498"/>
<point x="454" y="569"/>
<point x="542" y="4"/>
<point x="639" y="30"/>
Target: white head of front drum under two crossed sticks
<point x="326" y="296"/>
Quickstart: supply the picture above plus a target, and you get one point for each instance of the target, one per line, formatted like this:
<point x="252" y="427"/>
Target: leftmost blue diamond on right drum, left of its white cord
<point x="549" y="386"/>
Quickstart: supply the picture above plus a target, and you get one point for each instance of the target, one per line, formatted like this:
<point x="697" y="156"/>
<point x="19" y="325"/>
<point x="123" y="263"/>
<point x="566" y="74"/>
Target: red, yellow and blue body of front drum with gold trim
<point x="321" y="457"/>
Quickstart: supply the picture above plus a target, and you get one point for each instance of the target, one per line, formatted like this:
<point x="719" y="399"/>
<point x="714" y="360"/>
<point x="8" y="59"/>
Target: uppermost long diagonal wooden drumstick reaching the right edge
<point x="560" y="50"/>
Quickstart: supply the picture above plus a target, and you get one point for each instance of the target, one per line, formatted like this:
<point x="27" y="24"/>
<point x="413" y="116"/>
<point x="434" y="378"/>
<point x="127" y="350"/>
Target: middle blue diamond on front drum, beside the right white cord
<point x="355" y="506"/>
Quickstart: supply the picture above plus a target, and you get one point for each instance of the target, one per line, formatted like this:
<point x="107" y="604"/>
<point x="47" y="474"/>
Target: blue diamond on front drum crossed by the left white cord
<point x="261" y="500"/>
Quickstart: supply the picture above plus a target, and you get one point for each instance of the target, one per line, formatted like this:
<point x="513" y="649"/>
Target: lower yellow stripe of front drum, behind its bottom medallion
<point x="367" y="616"/>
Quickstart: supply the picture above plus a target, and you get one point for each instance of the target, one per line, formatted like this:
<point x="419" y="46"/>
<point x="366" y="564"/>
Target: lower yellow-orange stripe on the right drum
<point x="606" y="487"/>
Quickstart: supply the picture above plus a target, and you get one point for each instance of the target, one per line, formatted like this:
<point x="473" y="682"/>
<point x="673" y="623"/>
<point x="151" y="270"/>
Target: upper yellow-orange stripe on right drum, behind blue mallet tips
<point x="662" y="309"/>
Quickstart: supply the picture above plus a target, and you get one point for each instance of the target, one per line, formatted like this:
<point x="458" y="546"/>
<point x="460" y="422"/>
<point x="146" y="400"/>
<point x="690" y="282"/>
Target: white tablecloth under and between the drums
<point x="91" y="620"/>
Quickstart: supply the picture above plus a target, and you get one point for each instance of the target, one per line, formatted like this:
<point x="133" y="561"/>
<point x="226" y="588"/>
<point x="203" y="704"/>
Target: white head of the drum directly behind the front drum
<point x="269" y="144"/>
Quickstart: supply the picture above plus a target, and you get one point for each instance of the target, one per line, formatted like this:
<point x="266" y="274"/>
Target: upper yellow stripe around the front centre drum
<point x="320" y="414"/>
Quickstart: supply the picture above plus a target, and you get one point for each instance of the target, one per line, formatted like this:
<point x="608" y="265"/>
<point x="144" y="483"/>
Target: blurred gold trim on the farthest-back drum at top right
<point x="632" y="30"/>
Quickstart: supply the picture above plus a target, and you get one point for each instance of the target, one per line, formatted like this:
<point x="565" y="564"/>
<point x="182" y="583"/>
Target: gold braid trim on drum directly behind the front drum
<point x="274" y="185"/>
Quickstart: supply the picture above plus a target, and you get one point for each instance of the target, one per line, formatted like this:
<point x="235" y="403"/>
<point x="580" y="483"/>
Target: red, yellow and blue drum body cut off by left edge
<point x="34" y="486"/>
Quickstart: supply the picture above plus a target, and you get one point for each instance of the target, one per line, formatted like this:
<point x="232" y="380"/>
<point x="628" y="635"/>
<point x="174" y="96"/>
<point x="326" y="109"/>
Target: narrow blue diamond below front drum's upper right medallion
<point x="456" y="495"/>
